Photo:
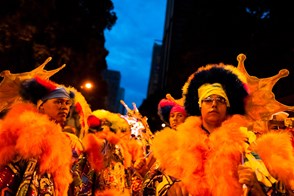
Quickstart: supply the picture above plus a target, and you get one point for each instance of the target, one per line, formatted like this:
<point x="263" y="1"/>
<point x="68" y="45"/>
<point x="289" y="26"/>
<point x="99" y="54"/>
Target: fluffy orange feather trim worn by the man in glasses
<point x="207" y="165"/>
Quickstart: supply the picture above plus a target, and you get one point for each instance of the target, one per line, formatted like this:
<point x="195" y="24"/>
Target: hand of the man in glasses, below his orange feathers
<point x="247" y="177"/>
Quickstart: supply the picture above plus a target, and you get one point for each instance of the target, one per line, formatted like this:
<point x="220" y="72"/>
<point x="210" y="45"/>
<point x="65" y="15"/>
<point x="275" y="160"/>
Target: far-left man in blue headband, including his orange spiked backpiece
<point x="36" y="156"/>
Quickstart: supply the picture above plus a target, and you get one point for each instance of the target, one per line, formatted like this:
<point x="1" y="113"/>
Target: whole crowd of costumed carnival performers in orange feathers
<point x="209" y="146"/>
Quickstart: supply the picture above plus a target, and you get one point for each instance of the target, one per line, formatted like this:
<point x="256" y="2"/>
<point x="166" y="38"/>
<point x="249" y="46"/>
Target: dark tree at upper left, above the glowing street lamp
<point x="70" y="31"/>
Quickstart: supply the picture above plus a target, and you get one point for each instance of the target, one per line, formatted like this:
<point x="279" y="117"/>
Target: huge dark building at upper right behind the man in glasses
<point x="197" y="33"/>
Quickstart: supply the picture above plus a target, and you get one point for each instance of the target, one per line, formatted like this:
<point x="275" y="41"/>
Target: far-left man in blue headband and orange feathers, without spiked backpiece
<point x="36" y="155"/>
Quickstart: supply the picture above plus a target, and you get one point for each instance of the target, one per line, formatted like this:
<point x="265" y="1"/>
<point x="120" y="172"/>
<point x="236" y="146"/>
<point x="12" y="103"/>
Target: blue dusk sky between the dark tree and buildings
<point x="139" y="25"/>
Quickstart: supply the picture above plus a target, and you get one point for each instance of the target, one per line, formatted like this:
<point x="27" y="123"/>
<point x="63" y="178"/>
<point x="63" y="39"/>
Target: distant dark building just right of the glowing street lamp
<point x="115" y="92"/>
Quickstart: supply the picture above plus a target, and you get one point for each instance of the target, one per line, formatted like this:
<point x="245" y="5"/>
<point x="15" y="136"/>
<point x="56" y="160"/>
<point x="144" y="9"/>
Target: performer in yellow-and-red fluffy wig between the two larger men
<point x="111" y="152"/>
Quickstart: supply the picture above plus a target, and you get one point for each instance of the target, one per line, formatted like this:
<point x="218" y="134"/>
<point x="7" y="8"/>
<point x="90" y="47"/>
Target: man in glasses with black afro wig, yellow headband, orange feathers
<point x="208" y="150"/>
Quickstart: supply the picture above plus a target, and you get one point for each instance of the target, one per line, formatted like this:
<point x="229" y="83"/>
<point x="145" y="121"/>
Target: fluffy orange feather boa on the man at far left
<point x="25" y="133"/>
